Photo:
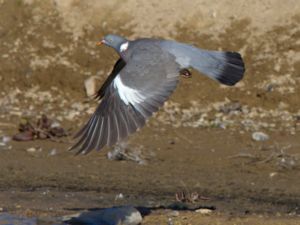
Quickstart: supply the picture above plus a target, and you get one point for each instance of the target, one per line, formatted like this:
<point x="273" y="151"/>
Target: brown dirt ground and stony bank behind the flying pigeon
<point x="200" y="141"/>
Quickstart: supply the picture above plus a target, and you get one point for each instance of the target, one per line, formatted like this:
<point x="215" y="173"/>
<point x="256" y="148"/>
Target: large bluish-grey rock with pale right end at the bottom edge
<point x="125" y="215"/>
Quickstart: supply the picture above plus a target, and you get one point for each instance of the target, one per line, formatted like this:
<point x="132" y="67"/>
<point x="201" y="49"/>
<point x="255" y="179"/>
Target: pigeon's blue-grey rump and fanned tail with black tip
<point x="226" y="67"/>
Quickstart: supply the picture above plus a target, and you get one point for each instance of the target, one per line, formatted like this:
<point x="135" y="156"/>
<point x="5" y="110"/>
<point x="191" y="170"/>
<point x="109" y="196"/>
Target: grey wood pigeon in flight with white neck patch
<point x="142" y="79"/>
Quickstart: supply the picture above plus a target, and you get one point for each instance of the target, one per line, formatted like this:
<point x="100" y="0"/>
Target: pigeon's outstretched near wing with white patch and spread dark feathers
<point x="135" y="93"/>
